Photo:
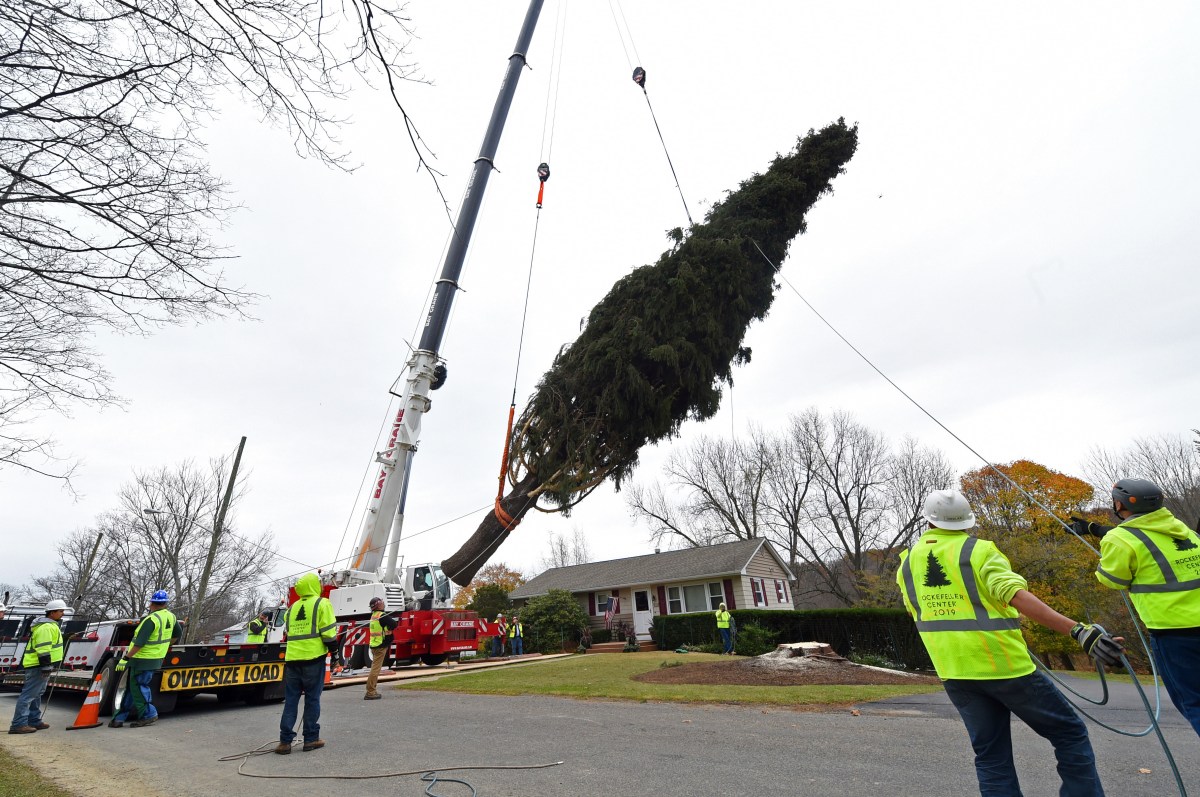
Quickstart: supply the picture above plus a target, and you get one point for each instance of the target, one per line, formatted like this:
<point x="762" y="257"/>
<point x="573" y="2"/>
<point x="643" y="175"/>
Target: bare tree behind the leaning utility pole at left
<point x="142" y="553"/>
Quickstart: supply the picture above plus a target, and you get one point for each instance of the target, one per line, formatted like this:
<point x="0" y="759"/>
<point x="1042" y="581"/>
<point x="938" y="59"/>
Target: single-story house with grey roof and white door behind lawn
<point x="746" y="574"/>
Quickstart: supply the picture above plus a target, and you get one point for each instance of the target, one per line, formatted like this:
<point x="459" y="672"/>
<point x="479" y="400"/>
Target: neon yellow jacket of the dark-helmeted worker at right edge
<point x="1157" y="559"/>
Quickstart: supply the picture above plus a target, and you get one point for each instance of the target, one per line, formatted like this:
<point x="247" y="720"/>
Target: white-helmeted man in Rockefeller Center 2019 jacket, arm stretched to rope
<point x="968" y="602"/>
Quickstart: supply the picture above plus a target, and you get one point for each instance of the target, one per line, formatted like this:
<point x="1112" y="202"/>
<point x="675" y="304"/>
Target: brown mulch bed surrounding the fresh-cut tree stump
<point x="754" y="673"/>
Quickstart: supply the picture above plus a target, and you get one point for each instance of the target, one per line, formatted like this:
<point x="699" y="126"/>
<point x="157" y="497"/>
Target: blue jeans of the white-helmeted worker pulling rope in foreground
<point x="987" y="709"/>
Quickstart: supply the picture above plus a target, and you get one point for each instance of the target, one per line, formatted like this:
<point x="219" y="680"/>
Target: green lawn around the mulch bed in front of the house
<point x="610" y="678"/>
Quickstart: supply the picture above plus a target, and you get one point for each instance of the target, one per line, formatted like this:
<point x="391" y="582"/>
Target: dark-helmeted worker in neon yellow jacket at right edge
<point x="1157" y="559"/>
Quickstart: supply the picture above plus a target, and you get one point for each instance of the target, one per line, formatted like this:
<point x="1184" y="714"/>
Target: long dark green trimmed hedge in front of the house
<point x="890" y="633"/>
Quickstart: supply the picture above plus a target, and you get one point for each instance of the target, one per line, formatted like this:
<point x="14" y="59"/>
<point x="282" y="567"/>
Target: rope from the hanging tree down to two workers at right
<point x="1154" y="714"/>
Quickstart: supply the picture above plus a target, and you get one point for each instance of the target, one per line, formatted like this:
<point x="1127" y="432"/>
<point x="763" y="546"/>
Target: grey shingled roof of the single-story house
<point x="724" y="560"/>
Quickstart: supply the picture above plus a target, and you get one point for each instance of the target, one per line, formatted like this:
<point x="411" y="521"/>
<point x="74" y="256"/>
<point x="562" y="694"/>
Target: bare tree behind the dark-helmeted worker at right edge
<point x="1171" y="462"/>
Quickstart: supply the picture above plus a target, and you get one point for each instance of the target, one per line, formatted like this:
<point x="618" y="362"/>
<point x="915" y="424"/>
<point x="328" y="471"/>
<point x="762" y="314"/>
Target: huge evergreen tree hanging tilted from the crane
<point x="658" y="349"/>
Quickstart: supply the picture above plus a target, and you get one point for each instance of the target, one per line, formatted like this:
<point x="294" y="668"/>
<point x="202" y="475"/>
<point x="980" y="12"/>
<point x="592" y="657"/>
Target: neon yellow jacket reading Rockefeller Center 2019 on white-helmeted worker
<point x="969" y="633"/>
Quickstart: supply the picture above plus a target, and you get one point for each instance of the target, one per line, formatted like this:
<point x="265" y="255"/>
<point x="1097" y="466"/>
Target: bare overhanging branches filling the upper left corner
<point x="107" y="206"/>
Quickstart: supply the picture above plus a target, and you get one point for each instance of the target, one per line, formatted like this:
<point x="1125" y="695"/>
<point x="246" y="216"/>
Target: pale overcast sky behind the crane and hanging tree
<point x="1018" y="227"/>
